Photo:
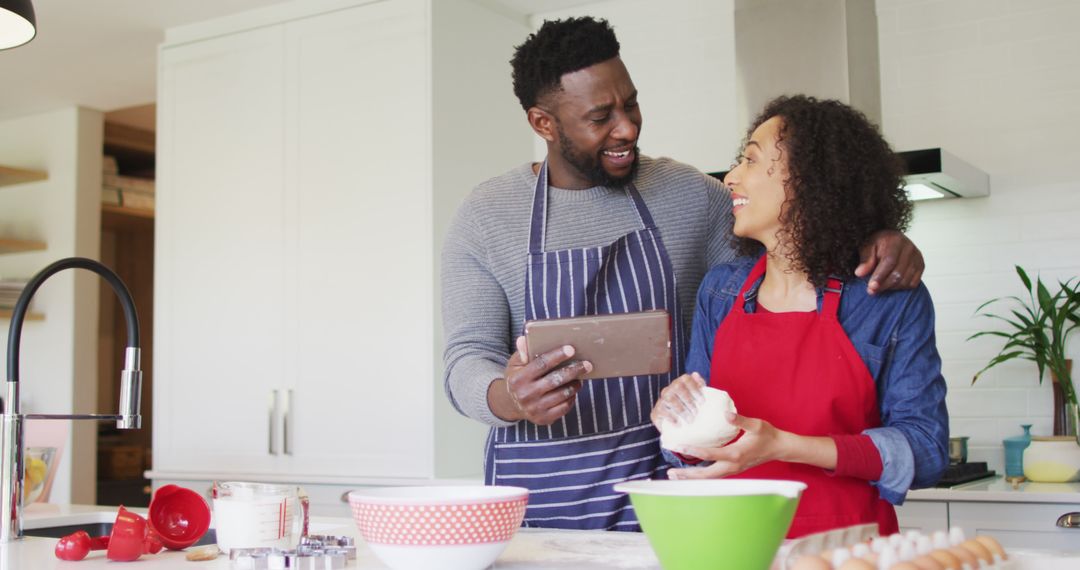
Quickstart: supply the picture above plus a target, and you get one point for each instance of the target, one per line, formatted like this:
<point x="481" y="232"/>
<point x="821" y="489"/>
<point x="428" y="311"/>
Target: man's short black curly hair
<point x="559" y="48"/>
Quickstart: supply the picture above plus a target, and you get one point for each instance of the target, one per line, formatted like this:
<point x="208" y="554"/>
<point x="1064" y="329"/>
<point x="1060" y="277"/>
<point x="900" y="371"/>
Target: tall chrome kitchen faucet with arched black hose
<point x="11" y="441"/>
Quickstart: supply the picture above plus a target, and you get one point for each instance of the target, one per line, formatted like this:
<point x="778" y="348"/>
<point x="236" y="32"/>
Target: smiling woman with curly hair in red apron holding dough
<point x="834" y="388"/>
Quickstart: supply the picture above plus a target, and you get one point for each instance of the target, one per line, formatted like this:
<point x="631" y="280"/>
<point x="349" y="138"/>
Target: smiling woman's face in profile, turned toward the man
<point x="758" y="186"/>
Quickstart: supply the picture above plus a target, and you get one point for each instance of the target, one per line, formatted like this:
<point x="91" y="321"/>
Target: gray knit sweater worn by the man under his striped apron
<point x="487" y="249"/>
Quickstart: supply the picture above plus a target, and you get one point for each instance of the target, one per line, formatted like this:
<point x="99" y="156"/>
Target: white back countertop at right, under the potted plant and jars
<point x="997" y="490"/>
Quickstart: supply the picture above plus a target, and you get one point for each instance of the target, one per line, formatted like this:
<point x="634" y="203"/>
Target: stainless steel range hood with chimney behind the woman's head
<point x="829" y="49"/>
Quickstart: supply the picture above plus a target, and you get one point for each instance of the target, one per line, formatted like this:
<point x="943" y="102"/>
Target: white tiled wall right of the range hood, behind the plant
<point x="996" y="84"/>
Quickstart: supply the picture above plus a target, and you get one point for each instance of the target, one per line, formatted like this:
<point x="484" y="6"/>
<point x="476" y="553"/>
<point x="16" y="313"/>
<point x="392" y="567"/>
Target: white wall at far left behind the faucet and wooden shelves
<point x="59" y="357"/>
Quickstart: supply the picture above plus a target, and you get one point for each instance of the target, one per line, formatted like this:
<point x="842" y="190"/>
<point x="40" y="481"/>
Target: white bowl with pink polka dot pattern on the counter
<point x="453" y="528"/>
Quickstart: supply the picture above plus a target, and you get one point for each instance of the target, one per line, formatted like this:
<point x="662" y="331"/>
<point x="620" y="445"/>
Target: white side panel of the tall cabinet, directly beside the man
<point x="463" y="66"/>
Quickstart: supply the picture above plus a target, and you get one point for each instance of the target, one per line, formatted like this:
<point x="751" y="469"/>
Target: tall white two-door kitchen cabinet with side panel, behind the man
<point x="299" y="233"/>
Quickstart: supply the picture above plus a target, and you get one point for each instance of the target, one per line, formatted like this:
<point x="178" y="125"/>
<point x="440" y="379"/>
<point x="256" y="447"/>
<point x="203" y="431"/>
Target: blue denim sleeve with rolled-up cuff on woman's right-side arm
<point x="914" y="436"/>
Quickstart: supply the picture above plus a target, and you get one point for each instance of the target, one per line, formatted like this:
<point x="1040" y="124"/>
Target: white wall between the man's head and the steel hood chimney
<point x="681" y="56"/>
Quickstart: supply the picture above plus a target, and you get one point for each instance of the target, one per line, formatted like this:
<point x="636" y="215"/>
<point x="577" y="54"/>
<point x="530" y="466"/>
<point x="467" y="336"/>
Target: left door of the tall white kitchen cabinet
<point x="220" y="341"/>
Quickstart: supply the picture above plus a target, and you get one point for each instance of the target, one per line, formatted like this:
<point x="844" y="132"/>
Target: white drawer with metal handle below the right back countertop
<point x="1018" y="525"/>
